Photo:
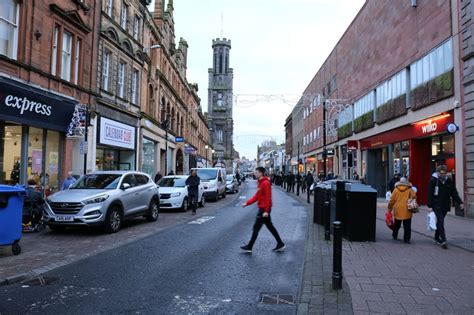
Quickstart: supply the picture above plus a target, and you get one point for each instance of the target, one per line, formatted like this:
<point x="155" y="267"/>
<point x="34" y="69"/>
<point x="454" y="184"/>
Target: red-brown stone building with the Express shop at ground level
<point x="47" y="80"/>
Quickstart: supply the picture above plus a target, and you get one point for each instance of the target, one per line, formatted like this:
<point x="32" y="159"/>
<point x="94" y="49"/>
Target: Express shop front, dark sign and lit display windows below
<point x="34" y="125"/>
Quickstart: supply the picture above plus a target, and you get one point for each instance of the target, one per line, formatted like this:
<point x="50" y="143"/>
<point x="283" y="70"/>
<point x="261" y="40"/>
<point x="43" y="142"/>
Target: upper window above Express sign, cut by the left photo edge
<point x="9" y="28"/>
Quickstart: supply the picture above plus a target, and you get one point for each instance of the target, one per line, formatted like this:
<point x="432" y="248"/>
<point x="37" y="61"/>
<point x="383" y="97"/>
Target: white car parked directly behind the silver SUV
<point x="174" y="193"/>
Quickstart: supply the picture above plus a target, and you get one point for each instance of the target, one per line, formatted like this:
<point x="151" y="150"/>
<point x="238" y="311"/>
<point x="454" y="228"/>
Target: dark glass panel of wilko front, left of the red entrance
<point x="377" y="170"/>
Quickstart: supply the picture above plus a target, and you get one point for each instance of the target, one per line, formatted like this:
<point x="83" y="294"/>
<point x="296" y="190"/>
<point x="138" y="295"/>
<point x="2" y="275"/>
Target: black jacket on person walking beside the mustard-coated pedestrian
<point x="446" y="191"/>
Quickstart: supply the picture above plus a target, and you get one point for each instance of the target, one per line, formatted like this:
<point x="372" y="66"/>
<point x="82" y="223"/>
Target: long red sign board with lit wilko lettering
<point x="423" y="128"/>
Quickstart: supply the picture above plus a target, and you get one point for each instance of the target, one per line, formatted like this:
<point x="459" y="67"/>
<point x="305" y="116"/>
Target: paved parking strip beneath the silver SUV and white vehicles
<point x="47" y="250"/>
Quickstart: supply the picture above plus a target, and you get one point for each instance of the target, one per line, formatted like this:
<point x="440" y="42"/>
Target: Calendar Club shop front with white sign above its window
<point x="116" y="145"/>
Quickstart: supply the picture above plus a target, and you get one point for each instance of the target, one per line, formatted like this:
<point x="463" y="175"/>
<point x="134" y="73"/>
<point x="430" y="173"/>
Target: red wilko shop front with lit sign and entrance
<point x="413" y="151"/>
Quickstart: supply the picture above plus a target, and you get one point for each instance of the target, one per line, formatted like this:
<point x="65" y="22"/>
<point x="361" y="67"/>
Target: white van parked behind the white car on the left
<point x="214" y="182"/>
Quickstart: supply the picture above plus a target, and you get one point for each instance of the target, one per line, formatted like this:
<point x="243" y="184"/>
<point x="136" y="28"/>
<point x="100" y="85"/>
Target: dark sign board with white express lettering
<point x="25" y="104"/>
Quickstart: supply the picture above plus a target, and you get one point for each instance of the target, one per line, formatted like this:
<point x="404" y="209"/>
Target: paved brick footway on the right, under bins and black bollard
<point x="390" y="277"/>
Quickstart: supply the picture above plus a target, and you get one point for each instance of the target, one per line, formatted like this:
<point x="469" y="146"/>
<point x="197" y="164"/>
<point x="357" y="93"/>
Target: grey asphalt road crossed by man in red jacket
<point x="192" y="267"/>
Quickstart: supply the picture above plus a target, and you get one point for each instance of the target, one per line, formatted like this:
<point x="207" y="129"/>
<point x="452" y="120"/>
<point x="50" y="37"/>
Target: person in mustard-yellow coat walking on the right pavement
<point x="399" y="205"/>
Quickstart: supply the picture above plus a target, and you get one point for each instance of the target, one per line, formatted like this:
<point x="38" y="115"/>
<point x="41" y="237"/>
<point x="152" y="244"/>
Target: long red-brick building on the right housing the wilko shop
<point x="391" y="87"/>
